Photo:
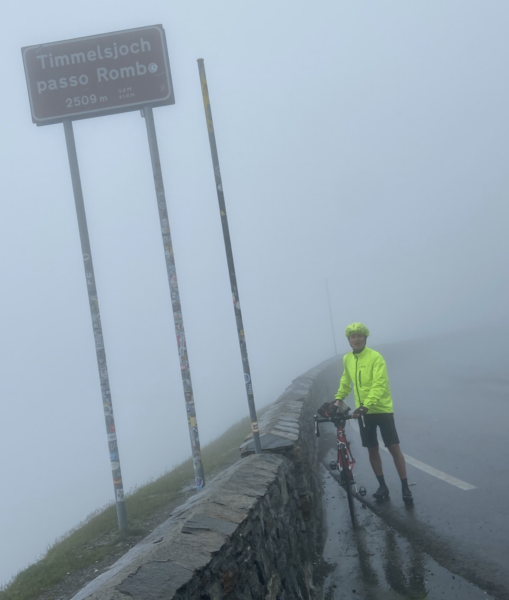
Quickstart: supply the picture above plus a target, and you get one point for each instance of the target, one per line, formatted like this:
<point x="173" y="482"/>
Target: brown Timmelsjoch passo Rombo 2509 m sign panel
<point x="98" y="75"/>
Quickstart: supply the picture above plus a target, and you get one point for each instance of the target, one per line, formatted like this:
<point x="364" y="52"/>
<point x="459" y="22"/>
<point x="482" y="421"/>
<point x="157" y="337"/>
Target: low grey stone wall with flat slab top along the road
<point x="254" y="532"/>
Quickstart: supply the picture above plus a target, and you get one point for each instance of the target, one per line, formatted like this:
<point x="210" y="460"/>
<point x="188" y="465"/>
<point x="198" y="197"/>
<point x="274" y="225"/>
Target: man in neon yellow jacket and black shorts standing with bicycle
<point x="365" y="370"/>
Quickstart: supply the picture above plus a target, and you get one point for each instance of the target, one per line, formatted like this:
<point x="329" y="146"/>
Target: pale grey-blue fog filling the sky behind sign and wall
<point x="363" y="143"/>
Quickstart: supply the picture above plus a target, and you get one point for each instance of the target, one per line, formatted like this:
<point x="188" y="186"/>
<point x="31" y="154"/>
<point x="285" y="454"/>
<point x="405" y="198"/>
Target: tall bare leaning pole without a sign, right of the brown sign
<point x="229" y="257"/>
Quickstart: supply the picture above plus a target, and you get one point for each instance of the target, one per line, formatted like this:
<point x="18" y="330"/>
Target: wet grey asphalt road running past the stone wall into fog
<point x="452" y="413"/>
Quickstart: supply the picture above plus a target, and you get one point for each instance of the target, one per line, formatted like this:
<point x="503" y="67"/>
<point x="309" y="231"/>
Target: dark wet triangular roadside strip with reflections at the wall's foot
<point x="376" y="563"/>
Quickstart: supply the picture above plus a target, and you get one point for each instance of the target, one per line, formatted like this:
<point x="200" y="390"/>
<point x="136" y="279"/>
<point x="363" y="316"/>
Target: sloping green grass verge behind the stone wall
<point x="97" y="539"/>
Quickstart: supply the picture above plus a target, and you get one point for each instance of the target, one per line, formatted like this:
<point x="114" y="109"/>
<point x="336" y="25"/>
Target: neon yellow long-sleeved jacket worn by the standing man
<point x="367" y="373"/>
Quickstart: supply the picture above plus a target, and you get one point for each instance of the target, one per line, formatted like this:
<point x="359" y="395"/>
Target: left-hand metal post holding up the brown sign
<point x="96" y="326"/>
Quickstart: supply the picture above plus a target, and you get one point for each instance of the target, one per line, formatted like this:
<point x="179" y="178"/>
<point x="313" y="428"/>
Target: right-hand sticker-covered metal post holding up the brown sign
<point x="175" y="297"/>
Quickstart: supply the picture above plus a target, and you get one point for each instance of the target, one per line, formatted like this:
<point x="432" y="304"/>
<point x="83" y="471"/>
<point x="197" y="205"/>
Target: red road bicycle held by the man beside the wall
<point x="345" y="460"/>
